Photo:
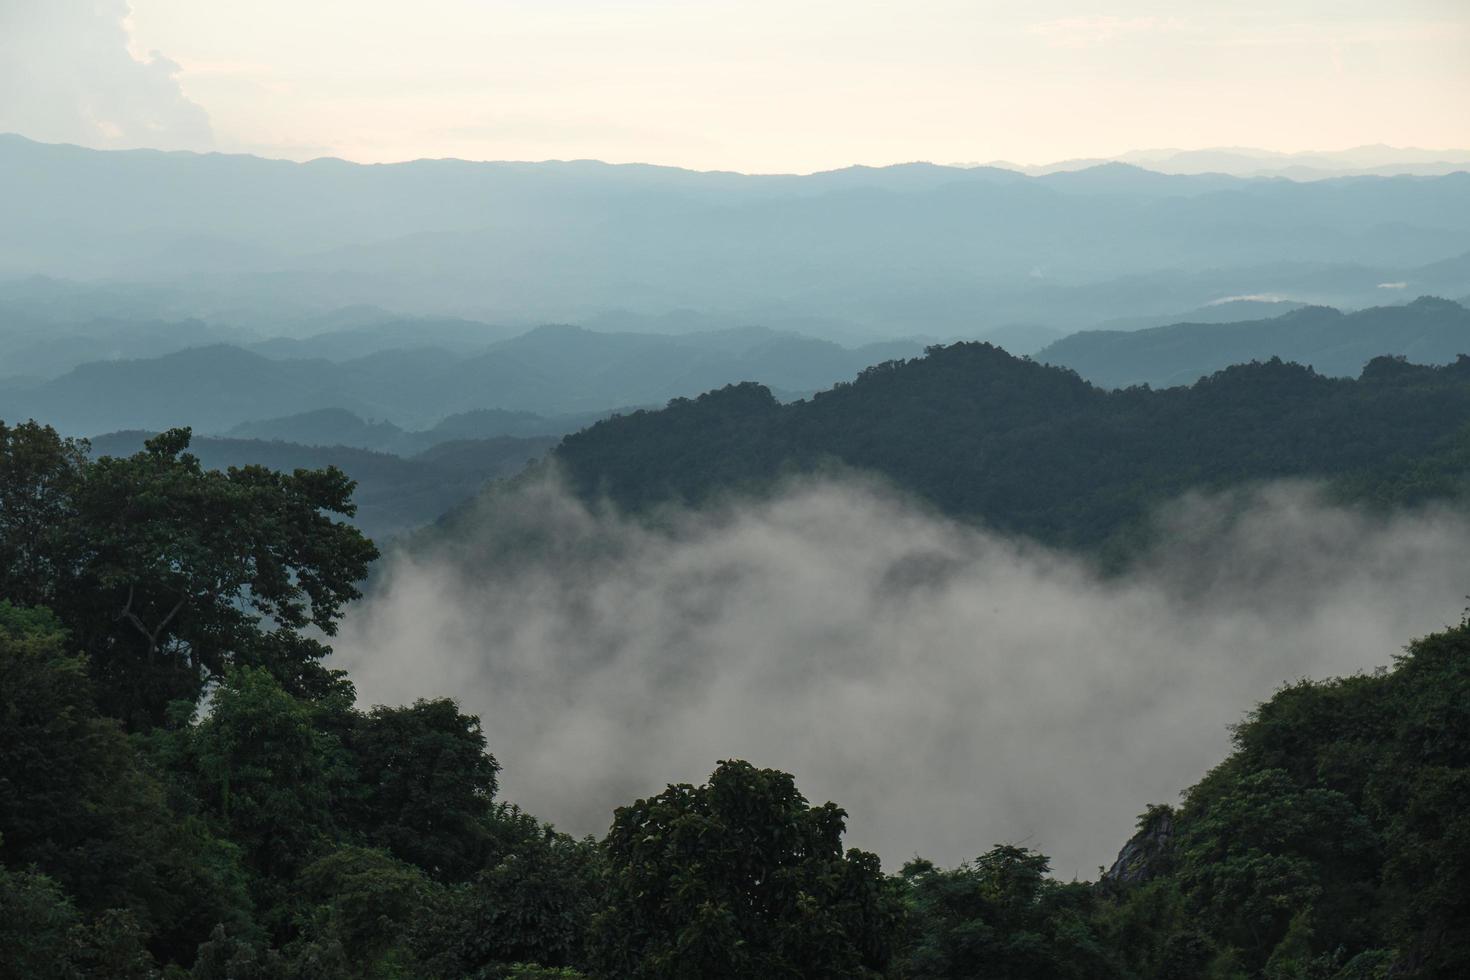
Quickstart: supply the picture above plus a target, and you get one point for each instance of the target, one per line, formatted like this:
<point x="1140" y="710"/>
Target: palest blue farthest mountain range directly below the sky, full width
<point x="940" y="251"/>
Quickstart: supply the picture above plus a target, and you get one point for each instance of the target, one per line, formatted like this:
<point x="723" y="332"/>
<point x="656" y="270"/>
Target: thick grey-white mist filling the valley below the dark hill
<point x="952" y="688"/>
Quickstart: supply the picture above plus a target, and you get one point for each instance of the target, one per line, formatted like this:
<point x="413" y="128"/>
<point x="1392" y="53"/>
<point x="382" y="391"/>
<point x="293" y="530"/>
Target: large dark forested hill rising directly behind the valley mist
<point x="1037" y="450"/>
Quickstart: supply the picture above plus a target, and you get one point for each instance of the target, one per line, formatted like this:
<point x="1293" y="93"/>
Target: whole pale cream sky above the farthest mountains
<point x="736" y="84"/>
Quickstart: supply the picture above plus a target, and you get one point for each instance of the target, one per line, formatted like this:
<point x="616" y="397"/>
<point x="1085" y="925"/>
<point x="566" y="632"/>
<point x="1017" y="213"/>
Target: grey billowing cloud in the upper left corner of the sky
<point x="67" y="76"/>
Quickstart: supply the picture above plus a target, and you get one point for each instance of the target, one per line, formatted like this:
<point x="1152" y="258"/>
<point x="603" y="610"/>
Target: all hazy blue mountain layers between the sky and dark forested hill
<point x="405" y="318"/>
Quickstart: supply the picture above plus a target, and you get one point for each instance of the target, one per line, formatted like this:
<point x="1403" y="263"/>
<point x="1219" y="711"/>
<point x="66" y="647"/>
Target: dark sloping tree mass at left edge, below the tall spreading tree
<point x="80" y="804"/>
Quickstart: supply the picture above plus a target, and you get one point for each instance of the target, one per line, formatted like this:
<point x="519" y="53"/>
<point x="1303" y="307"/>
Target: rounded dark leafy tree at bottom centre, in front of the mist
<point x="740" y="878"/>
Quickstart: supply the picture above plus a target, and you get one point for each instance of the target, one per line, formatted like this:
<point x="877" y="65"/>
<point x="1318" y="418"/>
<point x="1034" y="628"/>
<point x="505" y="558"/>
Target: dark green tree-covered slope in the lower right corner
<point x="1333" y="843"/>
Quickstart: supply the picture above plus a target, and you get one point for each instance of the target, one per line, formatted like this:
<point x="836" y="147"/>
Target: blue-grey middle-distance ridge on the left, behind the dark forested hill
<point x="552" y="371"/>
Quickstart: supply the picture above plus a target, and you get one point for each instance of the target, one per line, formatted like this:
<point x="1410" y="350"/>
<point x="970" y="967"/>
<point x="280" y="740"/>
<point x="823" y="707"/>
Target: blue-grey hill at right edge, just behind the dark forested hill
<point x="1428" y="331"/>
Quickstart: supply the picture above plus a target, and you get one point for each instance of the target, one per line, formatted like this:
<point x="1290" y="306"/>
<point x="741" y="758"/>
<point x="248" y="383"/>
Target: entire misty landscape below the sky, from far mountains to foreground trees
<point x="492" y="571"/>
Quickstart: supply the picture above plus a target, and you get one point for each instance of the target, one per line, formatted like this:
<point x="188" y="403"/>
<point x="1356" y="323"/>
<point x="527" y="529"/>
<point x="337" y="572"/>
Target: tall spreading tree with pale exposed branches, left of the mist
<point x="189" y="571"/>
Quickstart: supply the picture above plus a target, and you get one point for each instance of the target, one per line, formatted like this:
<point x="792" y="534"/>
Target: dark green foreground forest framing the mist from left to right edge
<point x="189" y="791"/>
